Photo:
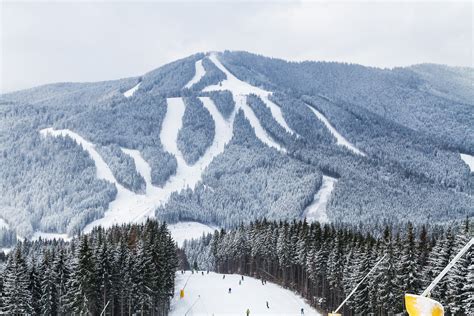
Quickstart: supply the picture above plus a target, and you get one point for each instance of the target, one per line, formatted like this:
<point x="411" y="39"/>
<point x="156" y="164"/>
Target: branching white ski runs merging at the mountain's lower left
<point x="129" y="207"/>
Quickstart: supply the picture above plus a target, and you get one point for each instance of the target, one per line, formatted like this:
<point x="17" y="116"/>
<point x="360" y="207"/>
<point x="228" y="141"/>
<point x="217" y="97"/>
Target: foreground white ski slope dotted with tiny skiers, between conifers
<point x="208" y="295"/>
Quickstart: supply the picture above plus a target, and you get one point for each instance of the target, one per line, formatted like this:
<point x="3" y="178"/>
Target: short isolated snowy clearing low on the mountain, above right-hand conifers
<point x="316" y="211"/>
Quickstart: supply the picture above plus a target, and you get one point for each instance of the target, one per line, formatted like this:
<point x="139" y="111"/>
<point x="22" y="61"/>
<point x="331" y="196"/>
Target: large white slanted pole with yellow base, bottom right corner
<point x="422" y="305"/>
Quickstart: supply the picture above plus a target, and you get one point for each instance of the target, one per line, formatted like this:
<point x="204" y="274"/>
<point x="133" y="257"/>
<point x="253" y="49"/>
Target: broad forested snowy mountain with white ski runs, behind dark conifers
<point x="225" y="138"/>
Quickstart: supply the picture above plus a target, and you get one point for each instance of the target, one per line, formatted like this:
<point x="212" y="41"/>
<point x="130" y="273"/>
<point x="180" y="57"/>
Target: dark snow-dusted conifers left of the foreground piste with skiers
<point x="123" y="270"/>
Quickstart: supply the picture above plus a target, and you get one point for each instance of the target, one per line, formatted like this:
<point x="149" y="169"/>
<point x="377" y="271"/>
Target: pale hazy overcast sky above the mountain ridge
<point x="44" y="42"/>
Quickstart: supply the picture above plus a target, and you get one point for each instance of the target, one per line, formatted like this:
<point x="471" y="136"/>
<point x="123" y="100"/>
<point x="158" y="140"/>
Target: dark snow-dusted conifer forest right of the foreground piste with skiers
<point x="323" y="263"/>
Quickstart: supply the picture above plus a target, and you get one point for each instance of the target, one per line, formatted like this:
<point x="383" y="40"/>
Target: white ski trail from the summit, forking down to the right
<point x="240" y="89"/>
